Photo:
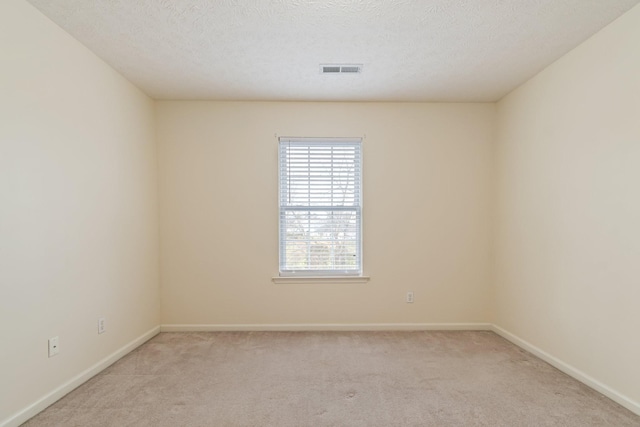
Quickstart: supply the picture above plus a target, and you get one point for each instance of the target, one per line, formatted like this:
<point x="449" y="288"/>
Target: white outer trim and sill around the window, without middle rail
<point x="321" y="276"/>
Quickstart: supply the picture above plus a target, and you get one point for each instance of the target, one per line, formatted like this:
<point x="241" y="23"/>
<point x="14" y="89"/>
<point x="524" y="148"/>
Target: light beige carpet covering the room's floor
<point x="333" y="379"/>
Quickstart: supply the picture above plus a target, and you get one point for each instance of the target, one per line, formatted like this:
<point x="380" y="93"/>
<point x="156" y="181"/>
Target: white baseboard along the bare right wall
<point x="570" y="370"/>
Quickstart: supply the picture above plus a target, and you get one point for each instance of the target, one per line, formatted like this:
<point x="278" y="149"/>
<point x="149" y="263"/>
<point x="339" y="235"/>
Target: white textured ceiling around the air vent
<point x="411" y="50"/>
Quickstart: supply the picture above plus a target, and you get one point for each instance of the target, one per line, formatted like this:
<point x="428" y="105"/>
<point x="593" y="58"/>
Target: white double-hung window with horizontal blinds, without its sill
<point x="320" y="206"/>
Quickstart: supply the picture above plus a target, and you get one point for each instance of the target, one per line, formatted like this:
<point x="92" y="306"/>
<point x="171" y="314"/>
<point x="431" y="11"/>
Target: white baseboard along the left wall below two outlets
<point x="42" y="403"/>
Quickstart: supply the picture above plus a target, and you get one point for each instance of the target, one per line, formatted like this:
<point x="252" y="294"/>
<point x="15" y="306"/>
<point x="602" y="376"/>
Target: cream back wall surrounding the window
<point x="426" y="213"/>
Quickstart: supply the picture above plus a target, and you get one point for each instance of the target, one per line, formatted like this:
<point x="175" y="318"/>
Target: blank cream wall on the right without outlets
<point x="568" y="212"/>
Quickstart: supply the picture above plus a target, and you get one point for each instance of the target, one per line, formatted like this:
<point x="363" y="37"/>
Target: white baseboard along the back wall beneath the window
<point x="329" y="327"/>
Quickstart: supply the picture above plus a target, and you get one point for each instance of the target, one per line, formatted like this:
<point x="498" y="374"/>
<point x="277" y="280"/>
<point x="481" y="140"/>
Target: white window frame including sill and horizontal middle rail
<point x="311" y="275"/>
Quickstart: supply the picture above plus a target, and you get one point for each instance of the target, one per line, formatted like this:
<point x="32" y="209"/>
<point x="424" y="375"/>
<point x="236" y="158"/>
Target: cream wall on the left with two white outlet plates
<point x="78" y="208"/>
